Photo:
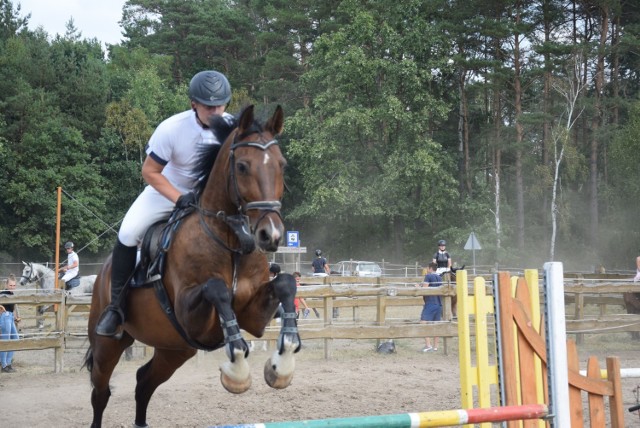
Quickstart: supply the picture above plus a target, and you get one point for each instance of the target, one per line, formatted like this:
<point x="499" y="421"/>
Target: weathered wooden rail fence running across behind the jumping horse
<point x="352" y="295"/>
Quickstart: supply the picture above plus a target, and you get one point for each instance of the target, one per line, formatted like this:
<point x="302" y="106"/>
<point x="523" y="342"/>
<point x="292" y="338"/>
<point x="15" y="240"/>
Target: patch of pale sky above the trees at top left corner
<point x="93" y="18"/>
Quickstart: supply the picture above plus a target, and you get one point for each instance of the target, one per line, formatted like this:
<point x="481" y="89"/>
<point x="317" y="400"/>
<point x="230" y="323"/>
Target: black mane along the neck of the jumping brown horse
<point x="221" y="127"/>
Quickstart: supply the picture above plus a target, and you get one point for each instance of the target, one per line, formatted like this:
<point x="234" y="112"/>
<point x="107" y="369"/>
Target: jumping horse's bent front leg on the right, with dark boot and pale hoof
<point x="278" y="370"/>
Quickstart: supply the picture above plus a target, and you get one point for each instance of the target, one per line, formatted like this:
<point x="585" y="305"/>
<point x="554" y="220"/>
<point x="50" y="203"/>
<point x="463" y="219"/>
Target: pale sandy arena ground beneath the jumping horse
<point x="357" y="381"/>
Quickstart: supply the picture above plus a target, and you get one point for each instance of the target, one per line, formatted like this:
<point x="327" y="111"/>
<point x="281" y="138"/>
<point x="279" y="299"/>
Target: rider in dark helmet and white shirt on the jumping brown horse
<point x="171" y="155"/>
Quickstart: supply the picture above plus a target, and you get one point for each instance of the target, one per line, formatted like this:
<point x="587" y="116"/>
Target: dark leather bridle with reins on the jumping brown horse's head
<point x="240" y="223"/>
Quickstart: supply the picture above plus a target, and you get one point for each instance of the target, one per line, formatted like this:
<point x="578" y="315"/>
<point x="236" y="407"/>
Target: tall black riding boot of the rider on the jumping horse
<point x="123" y="262"/>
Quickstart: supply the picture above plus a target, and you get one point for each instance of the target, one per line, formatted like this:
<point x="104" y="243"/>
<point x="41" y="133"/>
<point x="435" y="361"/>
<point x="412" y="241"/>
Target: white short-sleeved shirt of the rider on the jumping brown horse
<point x="174" y="144"/>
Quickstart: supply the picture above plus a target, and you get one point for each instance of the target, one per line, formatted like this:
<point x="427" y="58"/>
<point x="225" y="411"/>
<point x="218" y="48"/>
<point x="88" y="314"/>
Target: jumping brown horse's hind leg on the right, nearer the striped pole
<point x="153" y="374"/>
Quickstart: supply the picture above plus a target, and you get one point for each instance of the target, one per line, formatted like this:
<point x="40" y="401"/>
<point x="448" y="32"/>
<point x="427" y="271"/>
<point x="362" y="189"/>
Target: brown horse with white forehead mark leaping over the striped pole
<point x="216" y="280"/>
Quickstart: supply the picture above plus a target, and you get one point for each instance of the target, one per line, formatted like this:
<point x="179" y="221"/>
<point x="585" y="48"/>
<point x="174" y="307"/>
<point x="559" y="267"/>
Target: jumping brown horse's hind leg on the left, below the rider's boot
<point x="105" y="354"/>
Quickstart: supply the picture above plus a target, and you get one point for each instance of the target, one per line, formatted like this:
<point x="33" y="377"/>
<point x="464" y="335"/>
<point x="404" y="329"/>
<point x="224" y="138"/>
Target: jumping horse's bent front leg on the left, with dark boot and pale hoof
<point x="234" y="374"/>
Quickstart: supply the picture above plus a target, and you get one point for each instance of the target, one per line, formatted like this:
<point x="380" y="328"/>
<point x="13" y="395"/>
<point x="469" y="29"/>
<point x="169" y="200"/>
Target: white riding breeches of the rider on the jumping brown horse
<point x="149" y="208"/>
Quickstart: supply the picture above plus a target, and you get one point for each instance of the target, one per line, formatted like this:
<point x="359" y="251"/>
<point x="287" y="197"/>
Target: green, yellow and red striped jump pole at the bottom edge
<point x="443" y="418"/>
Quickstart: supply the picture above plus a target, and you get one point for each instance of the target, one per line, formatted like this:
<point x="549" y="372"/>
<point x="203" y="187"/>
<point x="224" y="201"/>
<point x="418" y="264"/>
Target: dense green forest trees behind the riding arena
<point x="376" y="94"/>
